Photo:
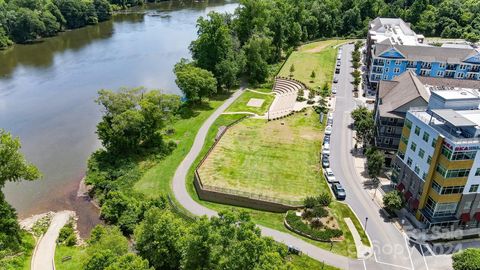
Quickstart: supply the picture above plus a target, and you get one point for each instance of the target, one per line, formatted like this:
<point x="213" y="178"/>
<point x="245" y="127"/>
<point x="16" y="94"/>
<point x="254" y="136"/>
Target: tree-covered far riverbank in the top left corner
<point x="22" y="21"/>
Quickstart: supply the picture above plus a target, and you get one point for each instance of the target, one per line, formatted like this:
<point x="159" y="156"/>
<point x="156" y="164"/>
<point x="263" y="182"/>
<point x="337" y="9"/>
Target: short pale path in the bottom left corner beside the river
<point x="44" y="254"/>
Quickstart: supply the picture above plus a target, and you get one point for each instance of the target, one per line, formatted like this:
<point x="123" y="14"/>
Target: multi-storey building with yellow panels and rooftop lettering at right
<point x="437" y="166"/>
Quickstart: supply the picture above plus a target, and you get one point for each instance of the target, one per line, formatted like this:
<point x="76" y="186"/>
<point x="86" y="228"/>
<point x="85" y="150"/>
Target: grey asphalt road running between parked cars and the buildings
<point x="392" y="250"/>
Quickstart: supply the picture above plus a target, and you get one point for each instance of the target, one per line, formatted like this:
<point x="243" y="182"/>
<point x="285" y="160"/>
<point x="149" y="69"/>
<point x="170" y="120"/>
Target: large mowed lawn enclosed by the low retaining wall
<point x="278" y="159"/>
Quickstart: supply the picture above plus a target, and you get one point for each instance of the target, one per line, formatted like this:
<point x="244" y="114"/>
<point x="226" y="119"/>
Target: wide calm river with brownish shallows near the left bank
<point x="47" y="93"/>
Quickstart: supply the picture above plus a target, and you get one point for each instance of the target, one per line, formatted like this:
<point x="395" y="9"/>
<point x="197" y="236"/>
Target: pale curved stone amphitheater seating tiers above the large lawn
<point x="286" y="91"/>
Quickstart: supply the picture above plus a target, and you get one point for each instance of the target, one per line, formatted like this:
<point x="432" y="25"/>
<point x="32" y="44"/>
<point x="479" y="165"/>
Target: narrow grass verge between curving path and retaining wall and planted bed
<point x="275" y="220"/>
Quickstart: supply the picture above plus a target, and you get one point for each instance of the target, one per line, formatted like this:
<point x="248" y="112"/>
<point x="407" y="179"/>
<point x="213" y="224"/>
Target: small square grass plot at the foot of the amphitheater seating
<point x="240" y="105"/>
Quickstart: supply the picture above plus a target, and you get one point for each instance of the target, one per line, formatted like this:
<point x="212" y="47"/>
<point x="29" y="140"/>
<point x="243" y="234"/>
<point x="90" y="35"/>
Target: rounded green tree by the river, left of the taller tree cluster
<point x="194" y="82"/>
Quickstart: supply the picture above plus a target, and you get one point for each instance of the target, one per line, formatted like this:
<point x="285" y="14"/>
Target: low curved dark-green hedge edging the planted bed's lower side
<point x="298" y="225"/>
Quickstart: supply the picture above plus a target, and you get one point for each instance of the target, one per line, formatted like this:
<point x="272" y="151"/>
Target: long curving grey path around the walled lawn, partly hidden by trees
<point x="182" y="196"/>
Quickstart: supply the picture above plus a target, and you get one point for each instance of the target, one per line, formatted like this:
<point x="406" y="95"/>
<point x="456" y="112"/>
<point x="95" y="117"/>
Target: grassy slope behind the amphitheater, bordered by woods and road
<point x="318" y="56"/>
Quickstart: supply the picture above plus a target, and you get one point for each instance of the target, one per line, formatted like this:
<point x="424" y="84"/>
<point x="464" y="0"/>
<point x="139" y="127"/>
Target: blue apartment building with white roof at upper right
<point x="393" y="48"/>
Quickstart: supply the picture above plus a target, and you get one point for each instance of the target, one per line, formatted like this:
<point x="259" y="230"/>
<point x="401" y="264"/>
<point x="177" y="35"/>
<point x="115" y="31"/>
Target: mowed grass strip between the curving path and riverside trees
<point x="157" y="180"/>
